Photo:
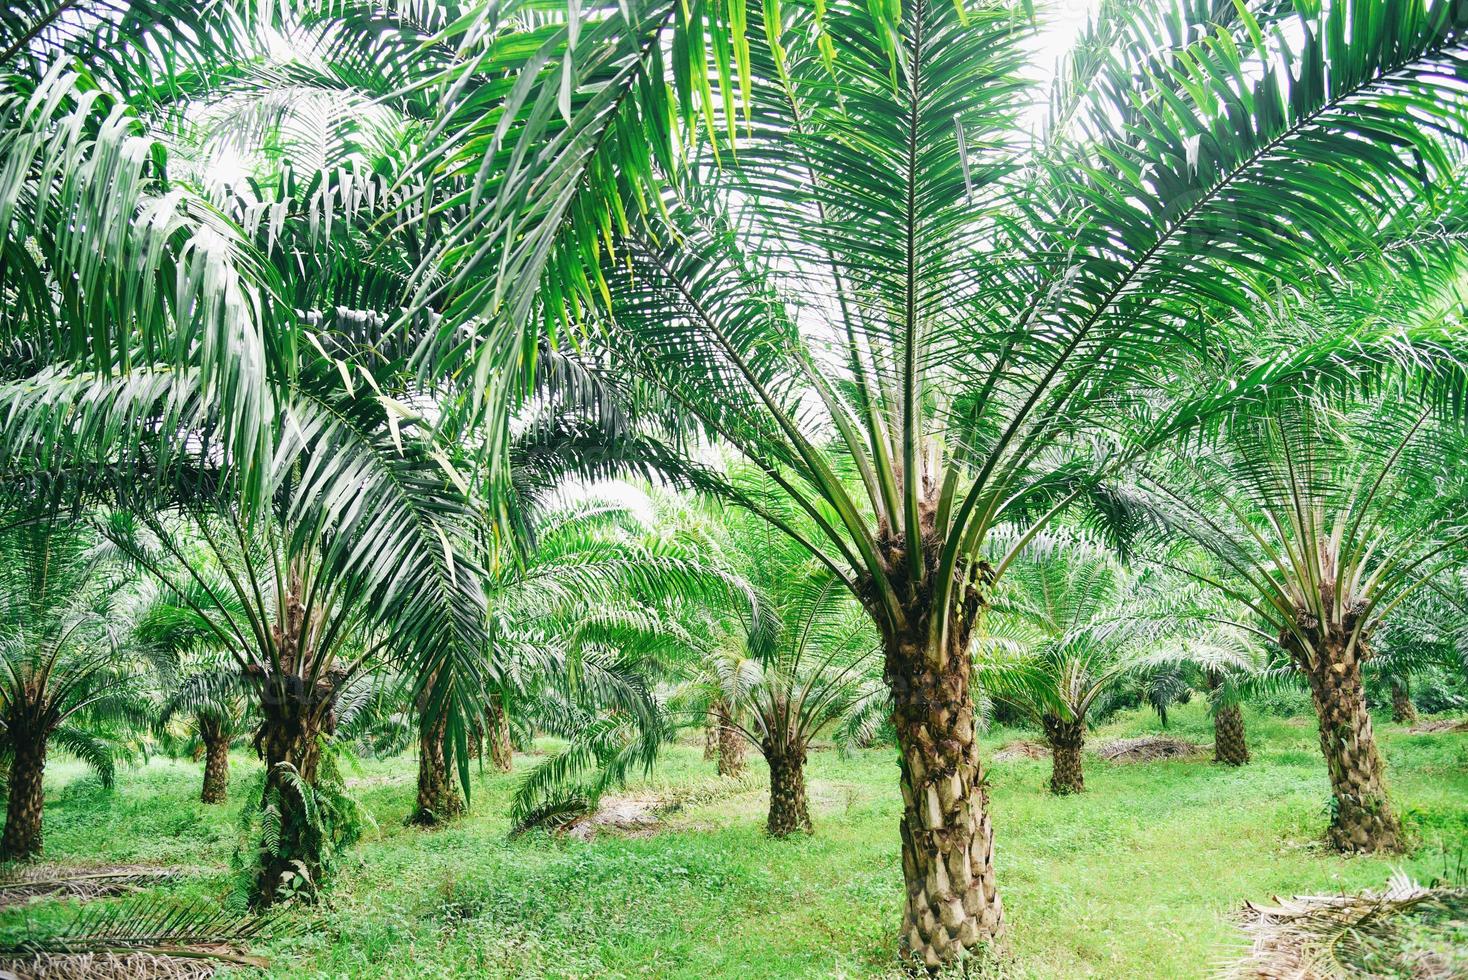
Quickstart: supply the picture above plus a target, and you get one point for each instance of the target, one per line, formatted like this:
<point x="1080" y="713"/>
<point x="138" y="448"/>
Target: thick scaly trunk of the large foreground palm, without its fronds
<point x="948" y="840"/>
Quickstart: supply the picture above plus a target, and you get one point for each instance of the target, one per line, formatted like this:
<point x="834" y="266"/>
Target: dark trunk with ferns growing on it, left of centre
<point x="293" y="731"/>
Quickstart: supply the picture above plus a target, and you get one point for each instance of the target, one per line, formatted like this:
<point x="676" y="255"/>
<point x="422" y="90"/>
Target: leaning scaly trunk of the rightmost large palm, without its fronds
<point x="1362" y="815"/>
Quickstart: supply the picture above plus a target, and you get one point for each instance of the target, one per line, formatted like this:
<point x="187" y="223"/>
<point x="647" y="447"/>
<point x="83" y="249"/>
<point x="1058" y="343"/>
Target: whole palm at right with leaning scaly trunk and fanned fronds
<point x="1323" y="523"/>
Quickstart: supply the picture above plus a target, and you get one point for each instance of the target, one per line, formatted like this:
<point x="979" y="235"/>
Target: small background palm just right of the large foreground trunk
<point x="1064" y="632"/>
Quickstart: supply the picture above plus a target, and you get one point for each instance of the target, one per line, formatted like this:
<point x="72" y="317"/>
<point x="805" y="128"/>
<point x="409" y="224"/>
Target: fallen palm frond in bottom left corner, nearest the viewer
<point x="174" y="931"/>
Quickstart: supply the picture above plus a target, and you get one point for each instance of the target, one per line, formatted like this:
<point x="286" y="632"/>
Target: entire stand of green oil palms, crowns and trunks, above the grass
<point x="438" y="375"/>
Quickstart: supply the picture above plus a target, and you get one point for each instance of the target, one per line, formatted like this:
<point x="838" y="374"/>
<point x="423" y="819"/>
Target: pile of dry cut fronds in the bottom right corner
<point x="1409" y="931"/>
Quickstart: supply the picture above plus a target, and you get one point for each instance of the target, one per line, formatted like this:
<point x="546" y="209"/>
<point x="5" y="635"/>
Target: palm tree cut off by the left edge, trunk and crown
<point x="65" y="670"/>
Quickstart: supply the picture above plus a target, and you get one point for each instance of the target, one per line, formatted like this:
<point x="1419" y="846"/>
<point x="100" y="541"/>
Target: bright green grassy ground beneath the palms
<point x="1138" y="878"/>
